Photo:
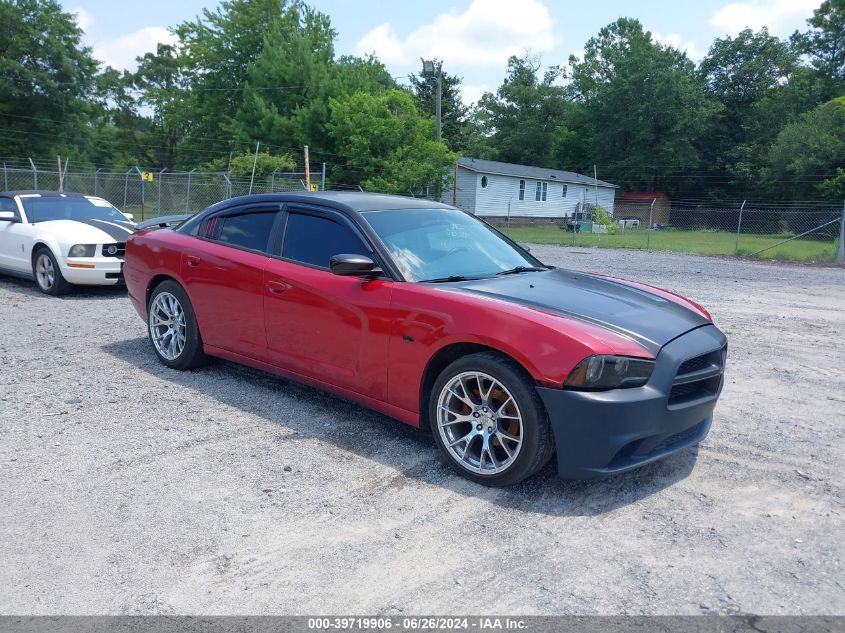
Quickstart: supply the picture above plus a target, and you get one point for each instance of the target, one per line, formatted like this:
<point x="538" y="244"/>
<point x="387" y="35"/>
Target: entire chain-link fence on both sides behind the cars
<point x="808" y="231"/>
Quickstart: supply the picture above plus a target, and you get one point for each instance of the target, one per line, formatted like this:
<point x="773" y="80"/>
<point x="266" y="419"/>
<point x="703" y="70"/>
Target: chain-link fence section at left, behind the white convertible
<point x="148" y="194"/>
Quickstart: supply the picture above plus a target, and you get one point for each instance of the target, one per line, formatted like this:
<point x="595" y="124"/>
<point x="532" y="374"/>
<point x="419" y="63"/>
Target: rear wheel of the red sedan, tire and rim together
<point x="172" y="327"/>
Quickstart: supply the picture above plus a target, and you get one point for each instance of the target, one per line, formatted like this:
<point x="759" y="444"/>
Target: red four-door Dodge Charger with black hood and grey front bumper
<point x="427" y="314"/>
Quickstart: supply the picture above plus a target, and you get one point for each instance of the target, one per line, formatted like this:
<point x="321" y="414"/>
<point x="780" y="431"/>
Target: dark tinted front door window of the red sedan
<point x="314" y="240"/>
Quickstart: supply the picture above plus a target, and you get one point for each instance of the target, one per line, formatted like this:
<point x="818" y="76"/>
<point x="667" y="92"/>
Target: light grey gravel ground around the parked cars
<point x="129" y="488"/>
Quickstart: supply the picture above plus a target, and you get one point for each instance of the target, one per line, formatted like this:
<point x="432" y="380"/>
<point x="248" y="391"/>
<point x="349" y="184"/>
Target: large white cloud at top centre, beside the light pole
<point x="484" y="35"/>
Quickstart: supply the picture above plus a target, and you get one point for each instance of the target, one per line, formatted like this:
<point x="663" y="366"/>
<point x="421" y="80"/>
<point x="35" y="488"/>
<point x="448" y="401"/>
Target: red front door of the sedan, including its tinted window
<point x="328" y="327"/>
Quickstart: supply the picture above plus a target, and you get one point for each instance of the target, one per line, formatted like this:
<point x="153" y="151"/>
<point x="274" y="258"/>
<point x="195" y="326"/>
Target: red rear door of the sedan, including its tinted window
<point x="223" y="271"/>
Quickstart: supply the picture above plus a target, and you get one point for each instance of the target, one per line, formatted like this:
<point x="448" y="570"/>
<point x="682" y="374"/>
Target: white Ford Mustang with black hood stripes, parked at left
<point x="61" y="238"/>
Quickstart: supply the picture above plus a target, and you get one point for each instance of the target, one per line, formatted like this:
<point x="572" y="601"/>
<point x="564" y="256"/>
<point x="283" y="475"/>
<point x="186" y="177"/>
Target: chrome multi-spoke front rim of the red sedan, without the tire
<point x="480" y="423"/>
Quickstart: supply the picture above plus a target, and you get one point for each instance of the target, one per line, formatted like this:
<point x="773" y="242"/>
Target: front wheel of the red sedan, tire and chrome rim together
<point x="488" y="420"/>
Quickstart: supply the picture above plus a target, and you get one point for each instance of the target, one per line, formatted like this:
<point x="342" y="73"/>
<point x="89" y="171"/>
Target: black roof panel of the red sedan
<point x="350" y="201"/>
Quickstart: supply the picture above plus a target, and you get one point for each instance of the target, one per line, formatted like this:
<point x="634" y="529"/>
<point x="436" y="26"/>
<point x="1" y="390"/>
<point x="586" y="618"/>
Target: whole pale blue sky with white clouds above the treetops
<point x="474" y="38"/>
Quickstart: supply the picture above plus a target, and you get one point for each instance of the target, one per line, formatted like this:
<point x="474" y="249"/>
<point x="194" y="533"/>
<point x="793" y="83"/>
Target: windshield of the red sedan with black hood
<point x="440" y="243"/>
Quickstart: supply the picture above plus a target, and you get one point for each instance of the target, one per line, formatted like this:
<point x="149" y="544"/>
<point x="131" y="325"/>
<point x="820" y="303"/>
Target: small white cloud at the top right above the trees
<point x="782" y="17"/>
